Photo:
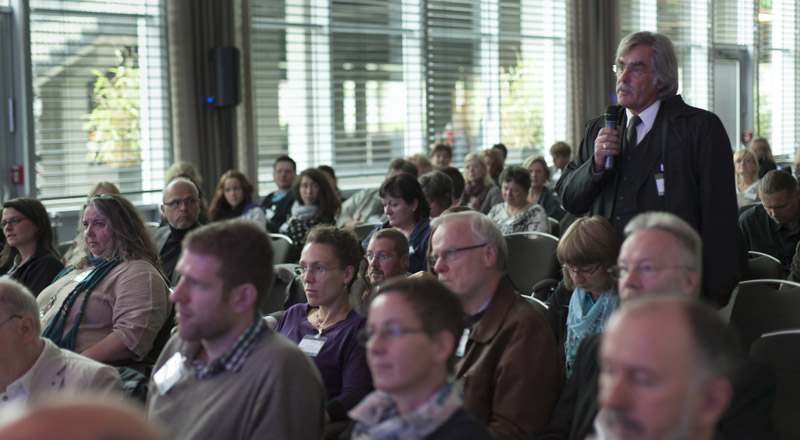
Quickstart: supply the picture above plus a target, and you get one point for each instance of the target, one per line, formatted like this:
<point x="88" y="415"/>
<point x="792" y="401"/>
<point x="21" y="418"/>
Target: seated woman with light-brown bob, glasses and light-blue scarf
<point x="583" y="302"/>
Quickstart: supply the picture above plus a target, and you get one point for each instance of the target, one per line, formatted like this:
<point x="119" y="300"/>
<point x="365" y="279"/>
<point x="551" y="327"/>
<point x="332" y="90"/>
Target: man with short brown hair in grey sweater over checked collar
<point x="224" y="373"/>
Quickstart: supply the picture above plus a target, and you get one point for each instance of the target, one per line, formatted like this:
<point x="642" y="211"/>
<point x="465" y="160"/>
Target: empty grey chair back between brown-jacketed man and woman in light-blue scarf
<point x="531" y="258"/>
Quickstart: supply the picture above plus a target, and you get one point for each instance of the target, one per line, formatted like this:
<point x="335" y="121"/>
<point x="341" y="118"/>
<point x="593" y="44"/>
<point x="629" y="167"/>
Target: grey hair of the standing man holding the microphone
<point x="664" y="62"/>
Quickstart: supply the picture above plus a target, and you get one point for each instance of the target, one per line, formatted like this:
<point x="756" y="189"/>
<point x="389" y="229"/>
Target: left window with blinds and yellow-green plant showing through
<point x="100" y="96"/>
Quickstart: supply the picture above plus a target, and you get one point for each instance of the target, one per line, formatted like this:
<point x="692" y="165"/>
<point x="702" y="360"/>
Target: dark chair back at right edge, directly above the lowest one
<point x="762" y="307"/>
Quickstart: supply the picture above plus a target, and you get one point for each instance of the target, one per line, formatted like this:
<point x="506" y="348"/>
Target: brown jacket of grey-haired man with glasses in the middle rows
<point x="510" y="370"/>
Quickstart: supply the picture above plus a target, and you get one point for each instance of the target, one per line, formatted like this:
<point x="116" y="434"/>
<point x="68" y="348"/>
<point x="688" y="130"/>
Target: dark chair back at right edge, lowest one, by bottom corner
<point x="781" y="351"/>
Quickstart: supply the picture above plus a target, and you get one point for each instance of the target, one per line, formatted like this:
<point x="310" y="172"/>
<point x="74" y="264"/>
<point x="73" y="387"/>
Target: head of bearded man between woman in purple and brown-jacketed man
<point x="387" y="255"/>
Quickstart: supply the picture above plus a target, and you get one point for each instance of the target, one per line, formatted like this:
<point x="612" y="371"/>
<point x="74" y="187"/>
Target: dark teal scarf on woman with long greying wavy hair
<point x="55" y="329"/>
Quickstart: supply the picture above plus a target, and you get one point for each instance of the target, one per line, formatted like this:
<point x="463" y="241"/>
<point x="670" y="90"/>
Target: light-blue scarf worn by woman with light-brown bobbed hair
<point x="582" y="323"/>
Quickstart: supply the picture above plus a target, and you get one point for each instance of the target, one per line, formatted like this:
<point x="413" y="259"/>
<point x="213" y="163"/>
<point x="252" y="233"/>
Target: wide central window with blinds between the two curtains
<point x="355" y="84"/>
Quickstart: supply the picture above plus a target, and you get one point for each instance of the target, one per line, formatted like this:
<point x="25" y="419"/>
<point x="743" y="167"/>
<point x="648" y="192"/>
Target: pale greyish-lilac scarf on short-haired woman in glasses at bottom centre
<point x="376" y="416"/>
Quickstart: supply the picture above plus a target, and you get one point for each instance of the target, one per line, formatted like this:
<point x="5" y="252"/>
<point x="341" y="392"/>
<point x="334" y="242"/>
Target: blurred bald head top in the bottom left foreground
<point x="79" y="419"/>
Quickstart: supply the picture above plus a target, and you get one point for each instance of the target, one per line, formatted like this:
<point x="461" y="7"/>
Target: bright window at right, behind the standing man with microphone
<point x="759" y="38"/>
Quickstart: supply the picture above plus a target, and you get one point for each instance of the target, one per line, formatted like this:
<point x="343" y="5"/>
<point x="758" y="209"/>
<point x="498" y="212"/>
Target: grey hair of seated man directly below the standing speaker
<point x="689" y="241"/>
